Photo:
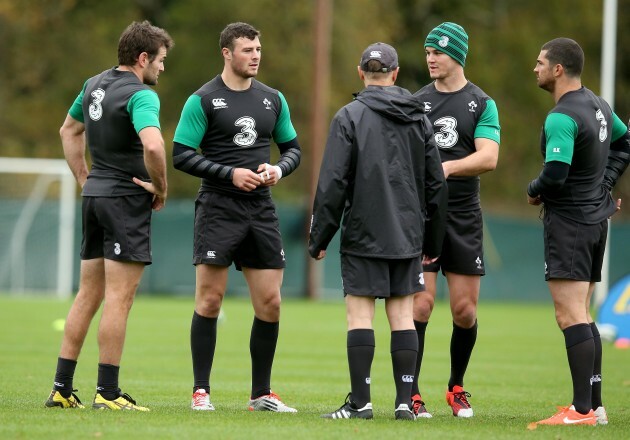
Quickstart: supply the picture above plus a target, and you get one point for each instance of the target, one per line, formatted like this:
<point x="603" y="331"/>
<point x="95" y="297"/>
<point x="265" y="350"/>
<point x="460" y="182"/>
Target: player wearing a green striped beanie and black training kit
<point x="466" y="125"/>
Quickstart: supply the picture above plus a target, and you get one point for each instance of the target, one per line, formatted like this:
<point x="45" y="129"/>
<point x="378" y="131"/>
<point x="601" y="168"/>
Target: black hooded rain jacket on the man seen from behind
<point x="382" y="173"/>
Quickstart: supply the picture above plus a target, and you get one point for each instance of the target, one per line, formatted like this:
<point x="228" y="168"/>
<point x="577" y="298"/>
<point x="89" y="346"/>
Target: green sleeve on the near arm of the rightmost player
<point x="560" y="133"/>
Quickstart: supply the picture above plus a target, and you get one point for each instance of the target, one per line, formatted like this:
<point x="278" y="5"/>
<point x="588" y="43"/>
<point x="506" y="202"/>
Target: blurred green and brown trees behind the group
<point x="50" y="47"/>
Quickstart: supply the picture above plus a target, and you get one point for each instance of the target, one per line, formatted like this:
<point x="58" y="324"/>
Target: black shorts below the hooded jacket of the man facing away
<point x="381" y="278"/>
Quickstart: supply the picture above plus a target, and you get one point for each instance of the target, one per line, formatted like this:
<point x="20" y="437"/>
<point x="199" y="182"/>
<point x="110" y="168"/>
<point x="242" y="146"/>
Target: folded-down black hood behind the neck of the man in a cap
<point x="392" y="102"/>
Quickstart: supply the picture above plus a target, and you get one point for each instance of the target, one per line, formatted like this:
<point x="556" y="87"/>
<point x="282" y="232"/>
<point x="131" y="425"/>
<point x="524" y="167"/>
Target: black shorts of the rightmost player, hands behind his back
<point x="573" y="251"/>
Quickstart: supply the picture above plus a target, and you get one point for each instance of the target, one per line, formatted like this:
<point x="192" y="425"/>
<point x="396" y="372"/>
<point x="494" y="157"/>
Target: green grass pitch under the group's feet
<point x="517" y="375"/>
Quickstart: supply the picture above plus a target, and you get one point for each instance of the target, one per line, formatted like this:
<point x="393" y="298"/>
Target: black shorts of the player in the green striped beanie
<point x="462" y="249"/>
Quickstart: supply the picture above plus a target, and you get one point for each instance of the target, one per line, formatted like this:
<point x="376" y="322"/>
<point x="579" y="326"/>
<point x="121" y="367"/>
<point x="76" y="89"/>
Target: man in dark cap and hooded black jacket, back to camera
<point x="381" y="172"/>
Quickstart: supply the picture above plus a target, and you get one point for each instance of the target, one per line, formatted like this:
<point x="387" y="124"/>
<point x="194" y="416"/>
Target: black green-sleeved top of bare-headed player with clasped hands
<point x="234" y="128"/>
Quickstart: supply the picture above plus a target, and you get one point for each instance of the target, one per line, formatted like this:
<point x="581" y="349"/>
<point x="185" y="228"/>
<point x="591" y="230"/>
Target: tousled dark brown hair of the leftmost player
<point x="142" y="37"/>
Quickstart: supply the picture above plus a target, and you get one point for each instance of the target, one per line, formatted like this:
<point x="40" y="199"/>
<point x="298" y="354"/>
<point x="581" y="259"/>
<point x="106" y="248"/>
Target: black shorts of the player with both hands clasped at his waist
<point x="244" y="231"/>
